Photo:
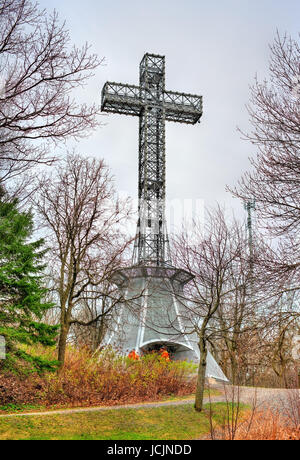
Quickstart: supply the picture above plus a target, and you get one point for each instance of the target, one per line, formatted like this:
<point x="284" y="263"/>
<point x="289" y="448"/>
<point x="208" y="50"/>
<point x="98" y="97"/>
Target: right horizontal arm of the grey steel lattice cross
<point x="182" y="107"/>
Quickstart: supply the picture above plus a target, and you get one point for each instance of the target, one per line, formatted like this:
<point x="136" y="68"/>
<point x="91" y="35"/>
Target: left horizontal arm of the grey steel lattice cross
<point x="121" y="98"/>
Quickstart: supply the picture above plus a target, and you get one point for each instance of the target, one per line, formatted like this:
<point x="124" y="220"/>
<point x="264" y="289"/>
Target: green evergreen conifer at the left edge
<point x="21" y="292"/>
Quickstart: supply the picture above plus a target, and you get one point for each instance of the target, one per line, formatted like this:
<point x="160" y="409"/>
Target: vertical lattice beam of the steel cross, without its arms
<point x="152" y="241"/>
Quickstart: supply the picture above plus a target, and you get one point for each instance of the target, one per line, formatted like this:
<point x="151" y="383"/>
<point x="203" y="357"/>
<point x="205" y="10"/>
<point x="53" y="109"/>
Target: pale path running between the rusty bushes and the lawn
<point x="259" y="397"/>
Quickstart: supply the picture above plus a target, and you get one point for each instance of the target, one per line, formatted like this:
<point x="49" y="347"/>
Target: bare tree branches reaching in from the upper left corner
<point x="39" y="69"/>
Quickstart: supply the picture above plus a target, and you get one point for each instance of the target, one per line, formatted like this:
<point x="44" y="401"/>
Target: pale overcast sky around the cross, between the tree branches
<point x="213" y="48"/>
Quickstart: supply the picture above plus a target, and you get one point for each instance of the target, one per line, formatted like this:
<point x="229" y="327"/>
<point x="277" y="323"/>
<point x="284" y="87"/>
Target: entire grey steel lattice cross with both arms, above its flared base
<point x="153" y="105"/>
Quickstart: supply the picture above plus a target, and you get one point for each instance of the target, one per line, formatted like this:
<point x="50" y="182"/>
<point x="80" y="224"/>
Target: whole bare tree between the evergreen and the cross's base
<point x="85" y="221"/>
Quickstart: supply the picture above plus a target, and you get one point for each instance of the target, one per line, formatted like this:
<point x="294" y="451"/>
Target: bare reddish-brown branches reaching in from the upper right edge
<point x="274" y="181"/>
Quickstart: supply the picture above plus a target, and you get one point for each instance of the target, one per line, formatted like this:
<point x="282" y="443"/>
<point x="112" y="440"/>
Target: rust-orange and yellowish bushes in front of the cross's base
<point x="106" y="378"/>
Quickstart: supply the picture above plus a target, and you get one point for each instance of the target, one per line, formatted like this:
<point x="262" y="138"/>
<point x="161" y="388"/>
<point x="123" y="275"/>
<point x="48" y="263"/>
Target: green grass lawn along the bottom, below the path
<point x="165" y="422"/>
